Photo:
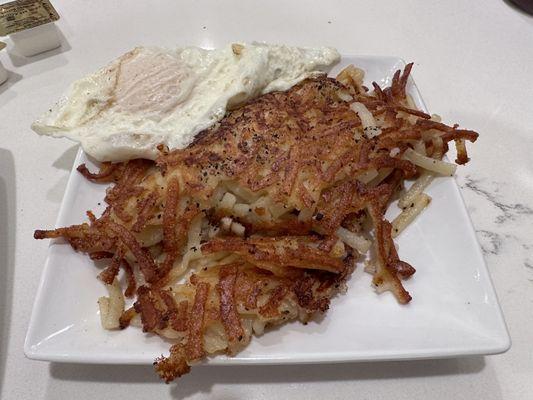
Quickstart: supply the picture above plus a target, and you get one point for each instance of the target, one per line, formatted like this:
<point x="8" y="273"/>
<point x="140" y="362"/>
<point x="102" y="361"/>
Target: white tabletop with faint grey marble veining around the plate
<point x="473" y="64"/>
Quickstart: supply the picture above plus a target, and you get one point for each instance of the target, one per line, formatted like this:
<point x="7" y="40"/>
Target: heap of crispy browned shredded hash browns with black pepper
<point x="259" y="221"/>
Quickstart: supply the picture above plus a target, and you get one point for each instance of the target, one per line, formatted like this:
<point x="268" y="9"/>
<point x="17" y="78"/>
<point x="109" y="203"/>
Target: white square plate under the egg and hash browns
<point x="454" y="310"/>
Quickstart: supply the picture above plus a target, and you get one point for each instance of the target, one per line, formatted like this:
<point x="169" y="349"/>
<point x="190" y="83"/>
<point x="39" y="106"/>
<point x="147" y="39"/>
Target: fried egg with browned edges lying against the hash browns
<point x="151" y="96"/>
